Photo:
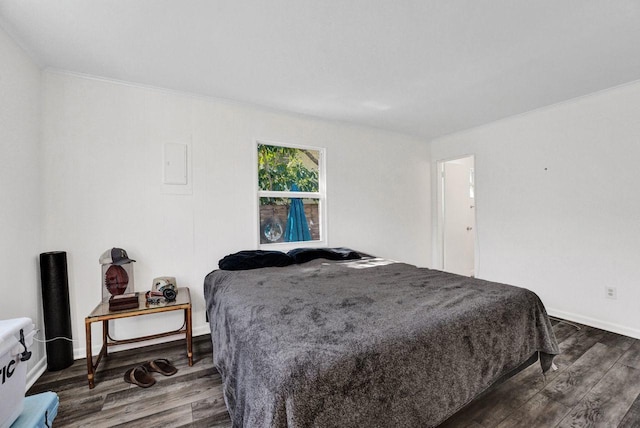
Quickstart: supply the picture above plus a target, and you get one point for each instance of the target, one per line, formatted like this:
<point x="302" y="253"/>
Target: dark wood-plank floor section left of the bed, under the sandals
<point x="190" y="398"/>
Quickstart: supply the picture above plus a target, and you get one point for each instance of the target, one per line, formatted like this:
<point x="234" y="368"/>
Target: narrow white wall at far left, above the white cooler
<point x="20" y="187"/>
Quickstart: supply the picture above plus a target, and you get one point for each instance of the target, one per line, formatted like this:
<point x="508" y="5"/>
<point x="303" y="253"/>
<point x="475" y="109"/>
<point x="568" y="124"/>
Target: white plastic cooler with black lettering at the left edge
<point x="14" y="353"/>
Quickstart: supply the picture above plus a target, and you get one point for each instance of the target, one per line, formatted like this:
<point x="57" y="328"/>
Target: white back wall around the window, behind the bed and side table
<point x="102" y="145"/>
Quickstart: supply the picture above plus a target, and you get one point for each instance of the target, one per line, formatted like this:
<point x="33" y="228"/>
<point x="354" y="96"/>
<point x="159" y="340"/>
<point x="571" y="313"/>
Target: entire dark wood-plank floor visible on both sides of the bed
<point x="597" y="384"/>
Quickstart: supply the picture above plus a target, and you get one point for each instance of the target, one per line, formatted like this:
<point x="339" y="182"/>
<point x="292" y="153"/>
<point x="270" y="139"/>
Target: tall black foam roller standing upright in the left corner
<point x="57" y="311"/>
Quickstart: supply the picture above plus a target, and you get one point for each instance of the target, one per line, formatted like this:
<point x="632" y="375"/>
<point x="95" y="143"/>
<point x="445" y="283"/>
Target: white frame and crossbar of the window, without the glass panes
<point x="321" y="195"/>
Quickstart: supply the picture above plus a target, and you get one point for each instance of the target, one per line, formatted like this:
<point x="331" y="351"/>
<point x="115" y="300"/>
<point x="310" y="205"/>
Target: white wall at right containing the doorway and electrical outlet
<point x="557" y="203"/>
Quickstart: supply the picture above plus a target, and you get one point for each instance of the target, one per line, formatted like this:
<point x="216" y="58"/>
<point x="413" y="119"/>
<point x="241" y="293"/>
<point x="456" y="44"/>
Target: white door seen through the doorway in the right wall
<point x="458" y="217"/>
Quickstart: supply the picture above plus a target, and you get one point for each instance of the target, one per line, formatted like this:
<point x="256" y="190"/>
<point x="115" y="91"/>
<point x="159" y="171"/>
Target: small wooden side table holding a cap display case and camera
<point x="102" y="313"/>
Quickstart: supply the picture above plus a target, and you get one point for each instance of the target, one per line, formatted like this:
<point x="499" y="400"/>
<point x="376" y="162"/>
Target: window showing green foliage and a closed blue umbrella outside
<point x="291" y="194"/>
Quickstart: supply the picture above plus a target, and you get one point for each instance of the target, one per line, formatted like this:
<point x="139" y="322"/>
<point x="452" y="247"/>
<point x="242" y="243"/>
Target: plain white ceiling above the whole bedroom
<point x="421" y="67"/>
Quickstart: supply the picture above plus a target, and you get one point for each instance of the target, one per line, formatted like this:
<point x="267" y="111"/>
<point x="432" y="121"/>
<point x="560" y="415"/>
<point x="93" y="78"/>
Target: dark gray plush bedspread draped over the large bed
<point x="366" y="343"/>
